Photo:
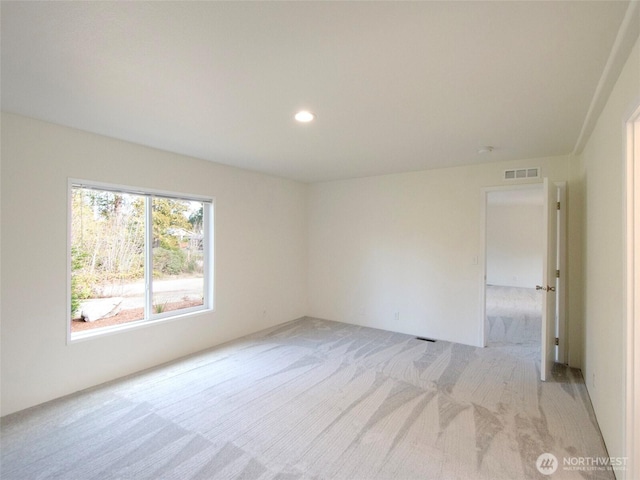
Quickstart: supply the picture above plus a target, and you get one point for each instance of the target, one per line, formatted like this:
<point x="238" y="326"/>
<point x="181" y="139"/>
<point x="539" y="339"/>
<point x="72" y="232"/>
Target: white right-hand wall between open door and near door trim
<point x="601" y="174"/>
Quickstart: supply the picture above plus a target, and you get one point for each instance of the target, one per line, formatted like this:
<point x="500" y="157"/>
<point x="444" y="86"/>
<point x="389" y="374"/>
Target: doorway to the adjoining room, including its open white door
<point x="527" y="265"/>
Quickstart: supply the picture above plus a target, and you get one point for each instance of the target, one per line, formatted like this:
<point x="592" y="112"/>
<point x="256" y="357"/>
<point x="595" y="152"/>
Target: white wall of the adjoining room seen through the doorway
<point x="514" y="245"/>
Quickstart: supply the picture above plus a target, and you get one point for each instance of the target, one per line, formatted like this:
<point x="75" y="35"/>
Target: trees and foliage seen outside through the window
<point x="108" y="240"/>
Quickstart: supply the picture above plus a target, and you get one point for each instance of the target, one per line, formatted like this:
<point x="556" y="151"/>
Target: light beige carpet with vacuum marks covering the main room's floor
<point x="314" y="399"/>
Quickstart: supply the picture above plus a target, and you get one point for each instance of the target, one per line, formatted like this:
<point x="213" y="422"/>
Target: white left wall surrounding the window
<point x="261" y="258"/>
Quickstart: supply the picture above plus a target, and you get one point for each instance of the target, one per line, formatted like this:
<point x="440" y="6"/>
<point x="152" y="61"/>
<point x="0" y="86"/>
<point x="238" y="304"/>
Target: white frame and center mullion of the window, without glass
<point x="151" y="318"/>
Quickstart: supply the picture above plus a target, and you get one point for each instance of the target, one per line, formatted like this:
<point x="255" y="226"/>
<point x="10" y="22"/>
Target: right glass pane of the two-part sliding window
<point x="178" y="254"/>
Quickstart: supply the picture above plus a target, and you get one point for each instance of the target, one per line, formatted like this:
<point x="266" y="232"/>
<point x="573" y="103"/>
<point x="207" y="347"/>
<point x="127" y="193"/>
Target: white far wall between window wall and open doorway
<point x="405" y="243"/>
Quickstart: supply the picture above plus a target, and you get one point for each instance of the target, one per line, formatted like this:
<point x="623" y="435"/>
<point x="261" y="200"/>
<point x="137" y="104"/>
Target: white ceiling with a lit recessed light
<point x="396" y="86"/>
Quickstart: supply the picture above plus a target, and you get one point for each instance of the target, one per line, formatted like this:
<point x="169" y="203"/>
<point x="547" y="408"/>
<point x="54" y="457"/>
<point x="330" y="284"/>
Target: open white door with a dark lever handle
<point x="548" y="287"/>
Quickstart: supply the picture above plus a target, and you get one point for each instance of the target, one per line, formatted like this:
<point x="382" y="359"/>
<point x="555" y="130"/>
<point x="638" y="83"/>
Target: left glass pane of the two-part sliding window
<point x="107" y="258"/>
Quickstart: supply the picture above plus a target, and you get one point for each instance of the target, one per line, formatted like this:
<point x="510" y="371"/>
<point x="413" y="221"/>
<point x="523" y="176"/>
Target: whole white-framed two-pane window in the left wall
<point x="136" y="256"/>
